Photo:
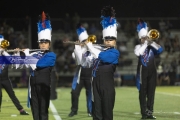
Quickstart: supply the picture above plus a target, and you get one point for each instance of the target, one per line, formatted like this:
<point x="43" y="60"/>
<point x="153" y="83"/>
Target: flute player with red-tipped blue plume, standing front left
<point x="40" y="78"/>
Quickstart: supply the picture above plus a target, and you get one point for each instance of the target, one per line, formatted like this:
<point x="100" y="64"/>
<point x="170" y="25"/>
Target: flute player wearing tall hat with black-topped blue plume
<point x="104" y="66"/>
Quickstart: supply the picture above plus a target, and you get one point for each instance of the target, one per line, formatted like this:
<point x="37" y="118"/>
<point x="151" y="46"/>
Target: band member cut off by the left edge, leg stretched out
<point x="5" y="82"/>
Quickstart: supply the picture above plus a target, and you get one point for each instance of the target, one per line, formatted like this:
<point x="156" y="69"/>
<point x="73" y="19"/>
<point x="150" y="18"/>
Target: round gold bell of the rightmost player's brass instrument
<point x="153" y="34"/>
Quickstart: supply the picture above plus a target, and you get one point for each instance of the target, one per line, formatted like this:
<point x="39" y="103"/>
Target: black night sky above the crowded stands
<point x="89" y="8"/>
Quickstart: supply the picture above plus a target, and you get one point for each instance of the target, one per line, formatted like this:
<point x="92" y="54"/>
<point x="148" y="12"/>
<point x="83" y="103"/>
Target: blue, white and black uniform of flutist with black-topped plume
<point x="104" y="66"/>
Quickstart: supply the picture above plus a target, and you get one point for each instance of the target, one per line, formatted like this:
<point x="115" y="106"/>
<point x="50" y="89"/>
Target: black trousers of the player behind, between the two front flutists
<point x="85" y="80"/>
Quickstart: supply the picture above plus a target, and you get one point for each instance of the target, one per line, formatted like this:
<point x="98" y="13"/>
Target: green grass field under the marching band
<point x="167" y="105"/>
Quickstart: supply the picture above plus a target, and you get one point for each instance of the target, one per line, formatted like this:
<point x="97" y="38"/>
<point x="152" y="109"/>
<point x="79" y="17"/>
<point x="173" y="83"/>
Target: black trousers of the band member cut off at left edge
<point x="7" y="85"/>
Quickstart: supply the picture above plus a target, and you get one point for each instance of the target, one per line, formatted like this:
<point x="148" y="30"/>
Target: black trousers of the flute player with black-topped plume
<point x="104" y="95"/>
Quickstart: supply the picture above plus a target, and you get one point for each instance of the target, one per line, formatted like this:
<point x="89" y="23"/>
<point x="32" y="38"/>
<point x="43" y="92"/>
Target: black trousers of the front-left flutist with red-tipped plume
<point x="40" y="98"/>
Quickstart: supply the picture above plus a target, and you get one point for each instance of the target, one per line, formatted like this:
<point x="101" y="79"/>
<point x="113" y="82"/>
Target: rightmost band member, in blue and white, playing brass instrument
<point x="146" y="70"/>
